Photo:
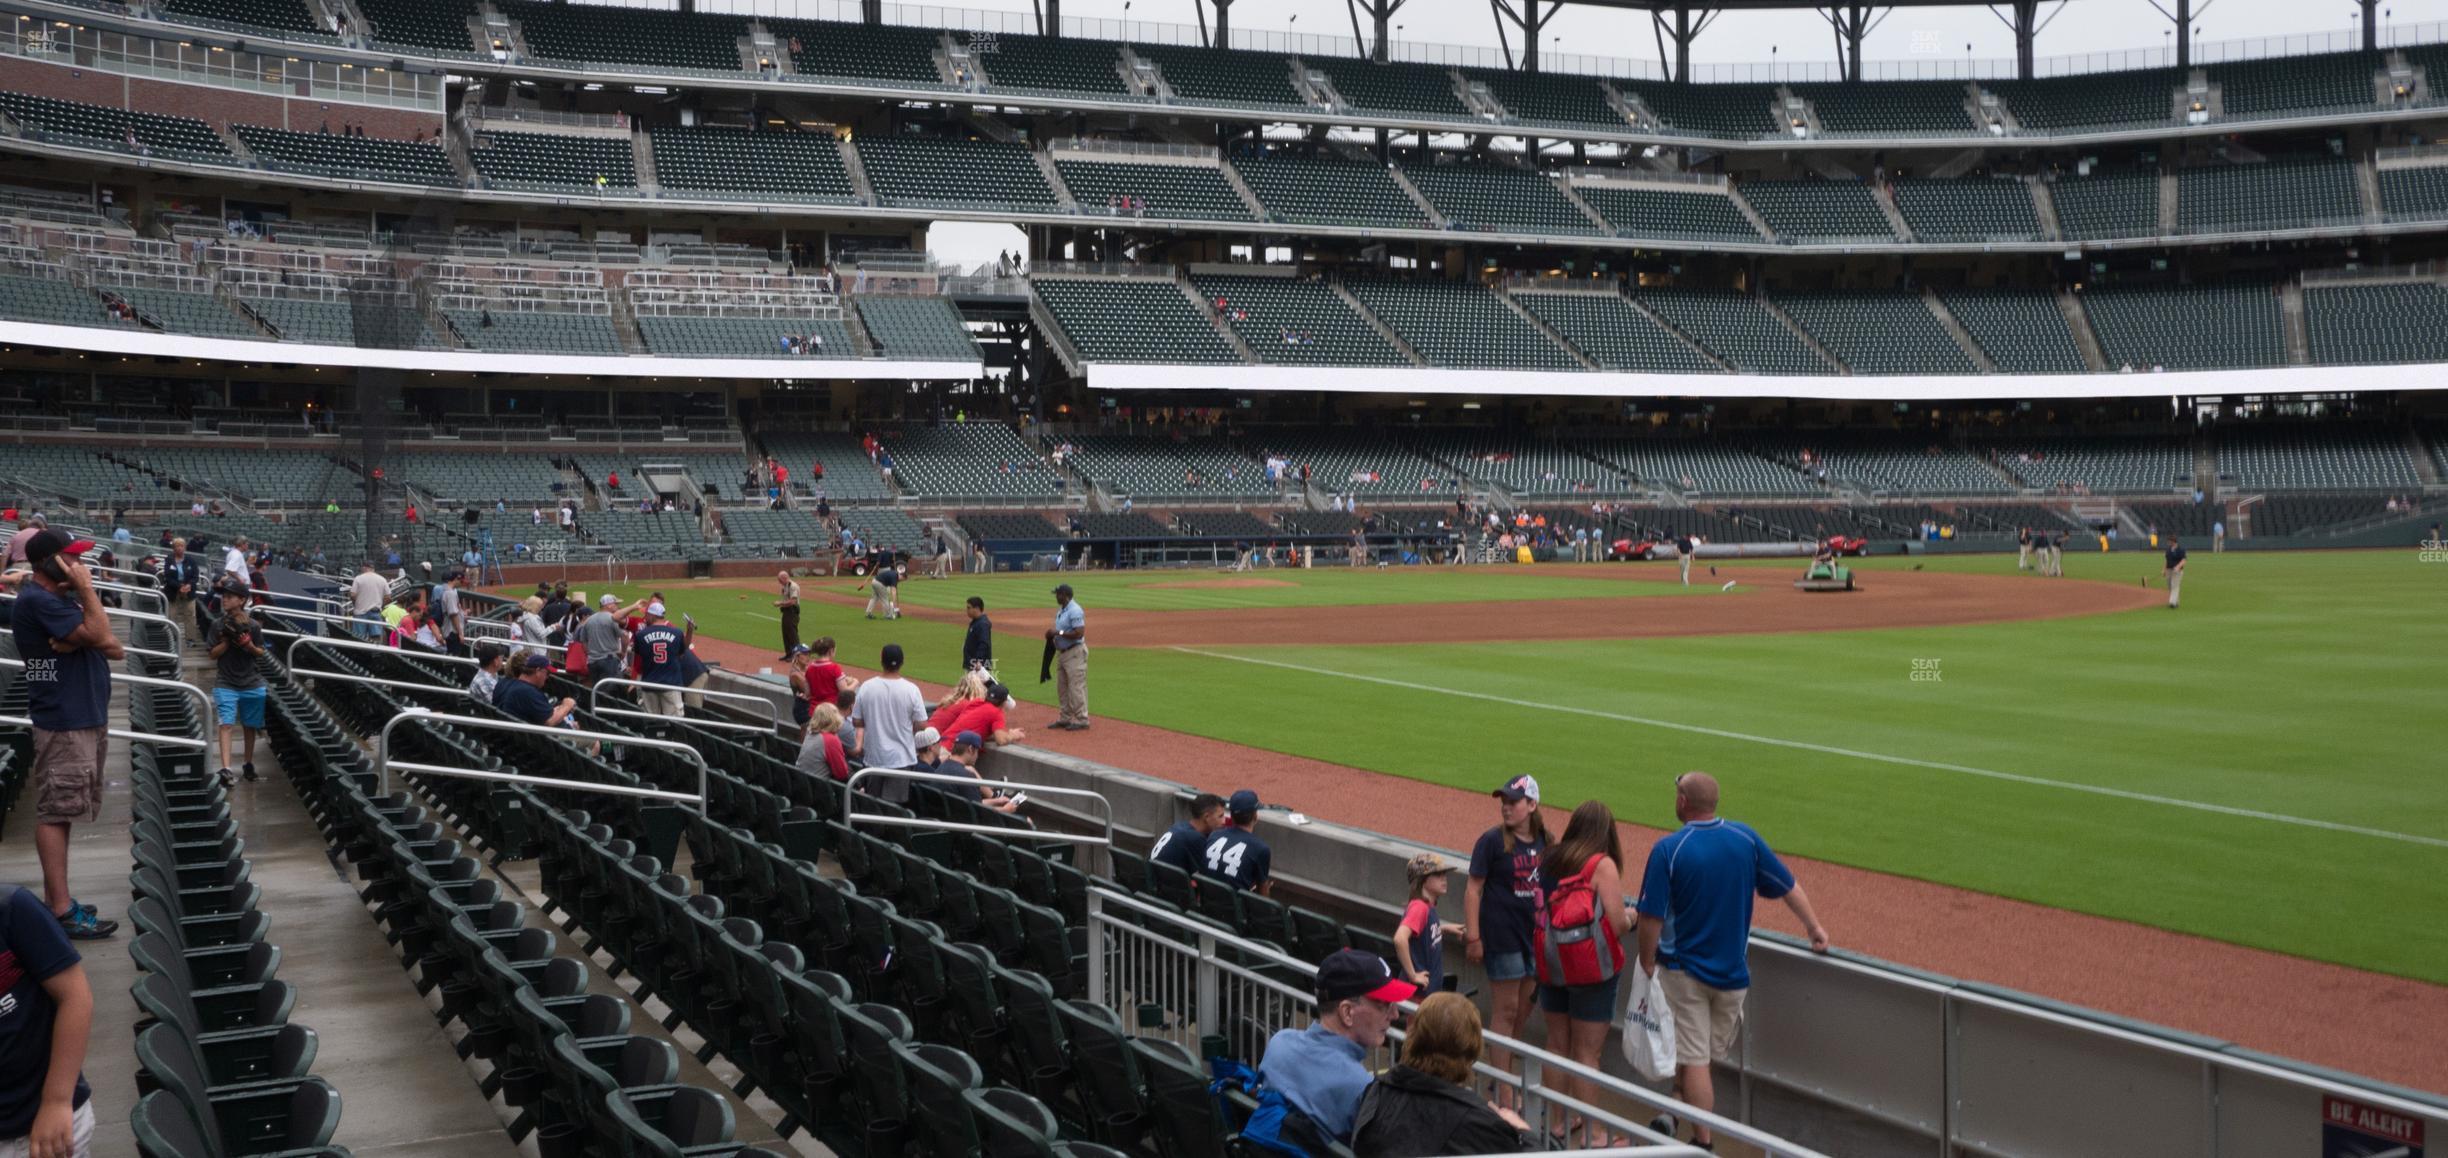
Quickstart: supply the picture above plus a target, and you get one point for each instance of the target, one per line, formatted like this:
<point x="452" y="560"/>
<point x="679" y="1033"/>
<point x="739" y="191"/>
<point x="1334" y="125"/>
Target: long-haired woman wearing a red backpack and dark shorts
<point x="1580" y="941"/>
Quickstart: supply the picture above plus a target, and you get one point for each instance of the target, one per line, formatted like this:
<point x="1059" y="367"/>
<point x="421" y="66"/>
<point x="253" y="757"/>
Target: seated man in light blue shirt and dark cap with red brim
<point x="1321" y="1071"/>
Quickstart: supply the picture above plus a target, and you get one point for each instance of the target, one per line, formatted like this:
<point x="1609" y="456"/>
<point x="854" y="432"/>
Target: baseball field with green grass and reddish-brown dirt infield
<point x="2263" y="765"/>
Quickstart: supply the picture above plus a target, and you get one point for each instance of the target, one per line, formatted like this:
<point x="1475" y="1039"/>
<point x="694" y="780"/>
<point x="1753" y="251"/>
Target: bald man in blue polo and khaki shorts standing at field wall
<point x="1695" y="922"/>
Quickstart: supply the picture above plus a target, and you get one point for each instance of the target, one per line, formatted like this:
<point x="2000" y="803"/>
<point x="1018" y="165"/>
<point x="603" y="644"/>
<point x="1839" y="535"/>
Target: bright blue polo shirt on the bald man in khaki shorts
<point x="1700" y="883"/>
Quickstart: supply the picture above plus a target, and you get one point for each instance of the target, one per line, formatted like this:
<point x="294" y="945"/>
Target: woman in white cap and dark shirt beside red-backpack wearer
<point x="1499" y="910"/>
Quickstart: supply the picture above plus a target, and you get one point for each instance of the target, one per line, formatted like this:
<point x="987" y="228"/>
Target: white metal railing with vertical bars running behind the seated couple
<point x="1215" y="983"/>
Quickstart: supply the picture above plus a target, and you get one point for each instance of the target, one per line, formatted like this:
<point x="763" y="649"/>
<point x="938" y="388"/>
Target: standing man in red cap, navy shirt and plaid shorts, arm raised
<point x="67" y="648"/>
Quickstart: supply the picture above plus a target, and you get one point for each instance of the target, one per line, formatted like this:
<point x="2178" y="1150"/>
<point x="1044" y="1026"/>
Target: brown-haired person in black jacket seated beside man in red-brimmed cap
<point x="1428" y="1105"/>
